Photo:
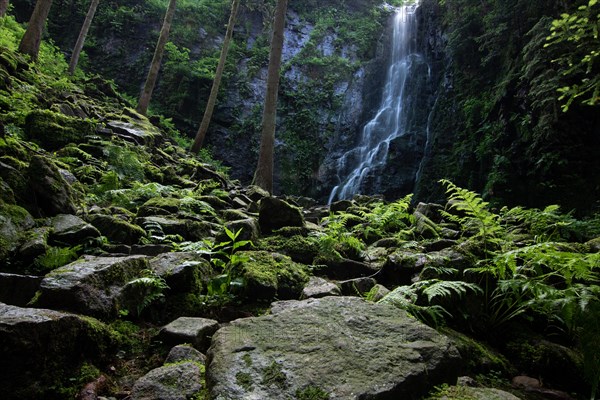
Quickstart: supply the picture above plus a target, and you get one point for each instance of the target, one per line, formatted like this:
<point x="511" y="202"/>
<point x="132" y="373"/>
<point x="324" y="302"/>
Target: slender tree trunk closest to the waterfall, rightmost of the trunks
<point x="263" y="177"/>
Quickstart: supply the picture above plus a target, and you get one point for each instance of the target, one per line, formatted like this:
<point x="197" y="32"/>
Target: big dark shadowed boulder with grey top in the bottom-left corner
<point x="39" y="347"/>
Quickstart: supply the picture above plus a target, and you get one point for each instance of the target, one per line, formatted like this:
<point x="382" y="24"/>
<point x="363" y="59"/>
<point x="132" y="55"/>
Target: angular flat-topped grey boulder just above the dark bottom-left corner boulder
<point x="92" y="286"/>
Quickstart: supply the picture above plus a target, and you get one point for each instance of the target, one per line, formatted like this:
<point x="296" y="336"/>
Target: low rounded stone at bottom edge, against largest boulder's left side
<point x="178" y="381"/>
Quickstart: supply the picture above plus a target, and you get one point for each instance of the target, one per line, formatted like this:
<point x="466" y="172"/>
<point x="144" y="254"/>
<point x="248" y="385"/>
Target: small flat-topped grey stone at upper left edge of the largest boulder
<point x="196" y="331"/>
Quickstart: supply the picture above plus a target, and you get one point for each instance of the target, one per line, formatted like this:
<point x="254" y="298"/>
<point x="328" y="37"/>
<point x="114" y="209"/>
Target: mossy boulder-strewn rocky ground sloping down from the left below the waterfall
<point x="131" y="269"/>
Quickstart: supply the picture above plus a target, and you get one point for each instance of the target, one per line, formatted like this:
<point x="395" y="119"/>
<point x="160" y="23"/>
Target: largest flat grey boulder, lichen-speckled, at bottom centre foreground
<point x="343" y="347"/>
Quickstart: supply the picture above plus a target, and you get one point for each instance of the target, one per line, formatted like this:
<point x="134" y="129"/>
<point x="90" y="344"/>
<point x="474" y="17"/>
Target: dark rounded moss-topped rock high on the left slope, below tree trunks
<point x="52" y="130"/>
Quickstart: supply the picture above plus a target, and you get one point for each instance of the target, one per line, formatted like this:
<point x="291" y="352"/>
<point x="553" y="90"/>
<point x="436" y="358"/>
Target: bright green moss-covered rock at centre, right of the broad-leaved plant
<point x="269" y="275"/>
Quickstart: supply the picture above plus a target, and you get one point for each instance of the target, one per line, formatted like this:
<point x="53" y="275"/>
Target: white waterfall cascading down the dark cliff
<point x="391" y="118"/>
